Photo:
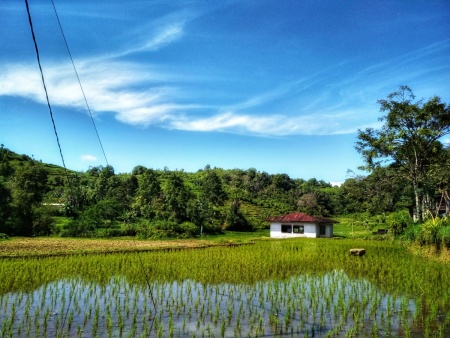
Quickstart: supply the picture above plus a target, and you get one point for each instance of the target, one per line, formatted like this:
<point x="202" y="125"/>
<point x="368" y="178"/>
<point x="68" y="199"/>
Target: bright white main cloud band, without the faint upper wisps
<point x="138" y="96"/>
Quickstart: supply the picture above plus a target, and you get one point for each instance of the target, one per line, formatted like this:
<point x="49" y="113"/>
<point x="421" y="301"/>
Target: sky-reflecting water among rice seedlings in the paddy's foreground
<point x="306" y="305"/>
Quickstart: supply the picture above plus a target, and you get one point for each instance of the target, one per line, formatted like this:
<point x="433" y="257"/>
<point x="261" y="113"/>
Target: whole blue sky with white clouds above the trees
<point x="280" y="86"/>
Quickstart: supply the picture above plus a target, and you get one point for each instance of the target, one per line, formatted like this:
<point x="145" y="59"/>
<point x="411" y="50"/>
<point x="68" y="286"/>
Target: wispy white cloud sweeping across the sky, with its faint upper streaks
<point x="144" y="94"/>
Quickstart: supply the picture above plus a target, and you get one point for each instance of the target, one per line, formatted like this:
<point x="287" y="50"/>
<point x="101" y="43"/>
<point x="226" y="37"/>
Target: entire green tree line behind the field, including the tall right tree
<point x="406" y="161"/>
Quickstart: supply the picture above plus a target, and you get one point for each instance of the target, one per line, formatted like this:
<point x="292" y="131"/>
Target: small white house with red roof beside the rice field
<point x="299" y="224"/>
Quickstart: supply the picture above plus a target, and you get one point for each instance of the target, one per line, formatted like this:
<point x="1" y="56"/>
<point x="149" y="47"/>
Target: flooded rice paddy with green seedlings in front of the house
<point x="289" y="288"/>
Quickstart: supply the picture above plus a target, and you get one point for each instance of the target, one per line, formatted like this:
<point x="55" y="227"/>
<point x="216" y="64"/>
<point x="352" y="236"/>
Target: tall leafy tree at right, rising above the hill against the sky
<point x="409" y="139"/>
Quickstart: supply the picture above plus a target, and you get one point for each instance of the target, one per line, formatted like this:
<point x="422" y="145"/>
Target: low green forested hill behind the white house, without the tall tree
<point x="42" y="199"/>
